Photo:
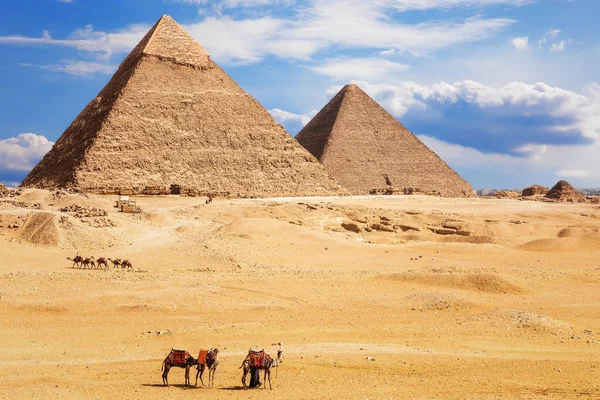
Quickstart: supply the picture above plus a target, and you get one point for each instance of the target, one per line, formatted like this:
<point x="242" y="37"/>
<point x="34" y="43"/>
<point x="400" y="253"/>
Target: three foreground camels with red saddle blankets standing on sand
<point x="254" y="362"/>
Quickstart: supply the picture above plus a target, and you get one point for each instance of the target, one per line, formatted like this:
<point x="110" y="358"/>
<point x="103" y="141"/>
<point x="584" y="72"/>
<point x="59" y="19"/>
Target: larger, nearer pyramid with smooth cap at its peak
<point x="171" y="116"/>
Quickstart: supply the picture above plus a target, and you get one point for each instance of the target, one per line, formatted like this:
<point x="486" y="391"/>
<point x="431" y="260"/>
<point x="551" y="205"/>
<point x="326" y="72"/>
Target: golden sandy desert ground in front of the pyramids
<point x="508" y="310"/>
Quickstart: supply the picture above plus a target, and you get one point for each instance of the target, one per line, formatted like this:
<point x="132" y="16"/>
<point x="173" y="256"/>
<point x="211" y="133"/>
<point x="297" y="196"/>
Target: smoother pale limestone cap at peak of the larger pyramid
<point x="168" y="40"/>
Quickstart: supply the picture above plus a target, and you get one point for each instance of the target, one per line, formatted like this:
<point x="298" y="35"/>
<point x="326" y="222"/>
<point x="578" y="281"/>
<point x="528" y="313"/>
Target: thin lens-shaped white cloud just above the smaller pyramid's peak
<point x="358" y="68"/>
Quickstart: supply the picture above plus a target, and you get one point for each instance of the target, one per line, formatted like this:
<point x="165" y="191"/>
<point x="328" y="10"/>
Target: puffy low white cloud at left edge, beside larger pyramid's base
<point x="21" y="153"/>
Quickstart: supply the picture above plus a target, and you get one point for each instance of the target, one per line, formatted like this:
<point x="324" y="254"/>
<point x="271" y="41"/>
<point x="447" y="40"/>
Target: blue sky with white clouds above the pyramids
<point x="505" y="91"/>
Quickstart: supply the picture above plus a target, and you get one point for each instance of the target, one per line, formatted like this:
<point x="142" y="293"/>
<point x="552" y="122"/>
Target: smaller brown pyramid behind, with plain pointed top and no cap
<point x="365" y="148"/>
